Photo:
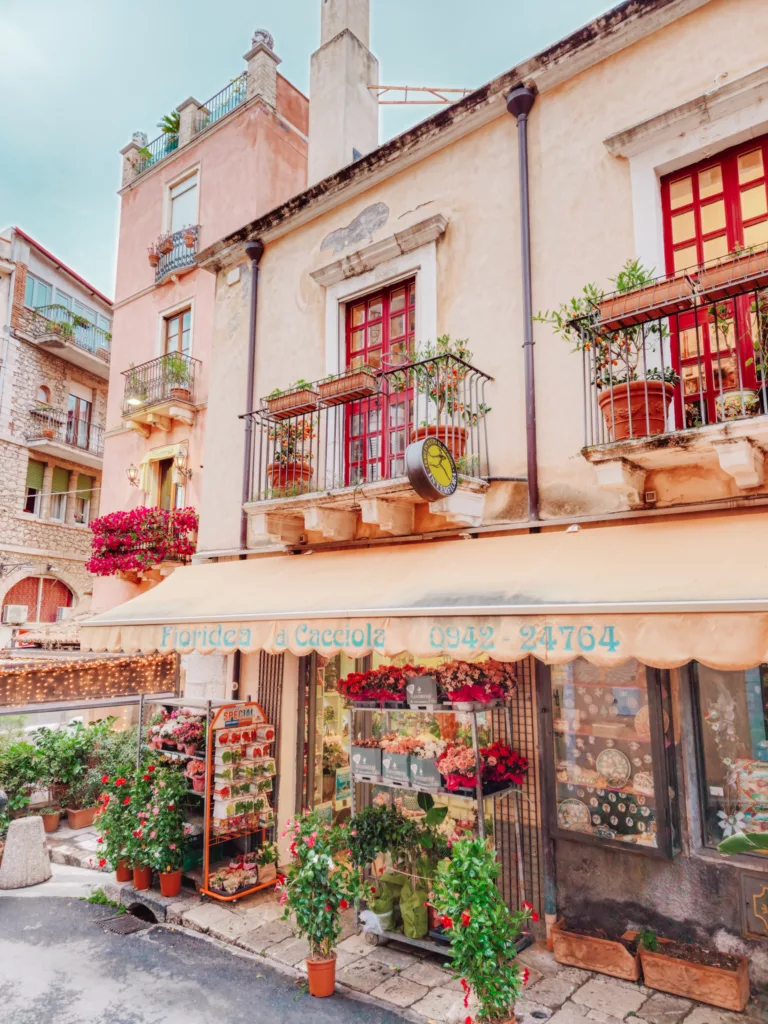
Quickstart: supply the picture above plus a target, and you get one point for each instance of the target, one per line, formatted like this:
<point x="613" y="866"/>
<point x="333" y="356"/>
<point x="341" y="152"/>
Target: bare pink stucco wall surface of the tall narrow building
<point x="252" y="161"/>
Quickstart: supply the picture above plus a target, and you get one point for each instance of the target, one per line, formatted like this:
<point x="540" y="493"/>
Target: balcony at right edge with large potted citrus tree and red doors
<point x="675" y="376"/>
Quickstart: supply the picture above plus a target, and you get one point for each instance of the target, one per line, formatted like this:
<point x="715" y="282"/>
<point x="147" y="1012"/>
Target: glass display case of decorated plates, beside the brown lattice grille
<point x="611" y="756"/>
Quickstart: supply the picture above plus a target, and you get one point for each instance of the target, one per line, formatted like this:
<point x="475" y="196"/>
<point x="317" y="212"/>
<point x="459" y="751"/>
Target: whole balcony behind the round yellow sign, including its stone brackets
<point x="330" y="457"/>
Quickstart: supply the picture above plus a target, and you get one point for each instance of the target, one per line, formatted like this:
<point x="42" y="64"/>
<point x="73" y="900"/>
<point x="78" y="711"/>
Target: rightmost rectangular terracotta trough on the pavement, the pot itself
<point x="705" y="984"/>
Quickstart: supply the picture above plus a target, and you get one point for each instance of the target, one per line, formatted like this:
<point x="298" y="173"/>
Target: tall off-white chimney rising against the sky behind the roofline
<point x="344" y="112"/>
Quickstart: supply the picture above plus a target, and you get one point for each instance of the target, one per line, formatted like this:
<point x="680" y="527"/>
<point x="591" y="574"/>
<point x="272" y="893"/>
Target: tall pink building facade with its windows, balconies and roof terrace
<point x="229" y="159"/>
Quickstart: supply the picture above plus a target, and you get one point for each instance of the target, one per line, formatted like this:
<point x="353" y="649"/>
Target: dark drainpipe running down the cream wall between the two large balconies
<point x="520" y="103"/>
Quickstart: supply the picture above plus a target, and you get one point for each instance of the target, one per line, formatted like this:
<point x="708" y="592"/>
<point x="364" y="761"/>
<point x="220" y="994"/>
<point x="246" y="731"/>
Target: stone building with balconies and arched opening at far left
<point x="55" y="366"/>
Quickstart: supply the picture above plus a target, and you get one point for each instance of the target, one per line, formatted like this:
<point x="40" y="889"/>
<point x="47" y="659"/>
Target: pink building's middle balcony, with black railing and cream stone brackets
<point x="161" y="393"/>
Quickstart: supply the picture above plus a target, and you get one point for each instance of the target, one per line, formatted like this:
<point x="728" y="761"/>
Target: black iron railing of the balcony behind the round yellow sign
<point x="355" y="431"/>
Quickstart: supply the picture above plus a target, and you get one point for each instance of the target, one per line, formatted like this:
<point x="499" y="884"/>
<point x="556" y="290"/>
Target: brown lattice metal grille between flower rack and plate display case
<point x="525" y="740"/>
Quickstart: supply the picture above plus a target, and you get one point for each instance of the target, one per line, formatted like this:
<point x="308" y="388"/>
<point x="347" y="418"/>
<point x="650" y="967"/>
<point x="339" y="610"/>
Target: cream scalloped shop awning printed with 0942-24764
<point x="665" y="593"/>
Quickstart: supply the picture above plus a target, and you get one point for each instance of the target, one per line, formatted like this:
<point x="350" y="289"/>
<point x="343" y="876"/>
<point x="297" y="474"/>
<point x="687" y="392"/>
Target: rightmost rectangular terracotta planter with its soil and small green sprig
<point x="693" y="972"/>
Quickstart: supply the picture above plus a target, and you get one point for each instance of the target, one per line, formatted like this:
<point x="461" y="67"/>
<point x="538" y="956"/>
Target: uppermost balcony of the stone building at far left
<point x="68" y="336"/>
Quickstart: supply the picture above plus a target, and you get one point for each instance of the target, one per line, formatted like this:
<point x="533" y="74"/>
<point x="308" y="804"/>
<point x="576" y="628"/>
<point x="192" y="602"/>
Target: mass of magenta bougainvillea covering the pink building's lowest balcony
<point x="130" y="542"/>
